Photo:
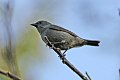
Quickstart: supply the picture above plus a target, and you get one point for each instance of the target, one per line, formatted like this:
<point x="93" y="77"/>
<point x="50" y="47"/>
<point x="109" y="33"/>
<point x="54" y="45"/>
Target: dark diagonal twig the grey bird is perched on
<point x="65" y="61"/>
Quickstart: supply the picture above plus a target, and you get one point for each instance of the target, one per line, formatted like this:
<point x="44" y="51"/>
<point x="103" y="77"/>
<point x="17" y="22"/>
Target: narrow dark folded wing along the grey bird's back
<point x="58" y="28"/>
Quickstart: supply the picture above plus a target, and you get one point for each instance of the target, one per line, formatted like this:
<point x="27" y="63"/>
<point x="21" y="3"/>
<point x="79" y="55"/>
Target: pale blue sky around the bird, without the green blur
<point x="90" y="19"/>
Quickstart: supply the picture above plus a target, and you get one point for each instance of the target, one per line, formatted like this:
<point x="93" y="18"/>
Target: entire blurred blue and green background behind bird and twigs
<point x="22" y="52"/>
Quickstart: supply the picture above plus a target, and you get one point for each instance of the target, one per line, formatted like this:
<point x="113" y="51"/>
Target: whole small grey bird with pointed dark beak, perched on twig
<point x="61" y="38"/>
